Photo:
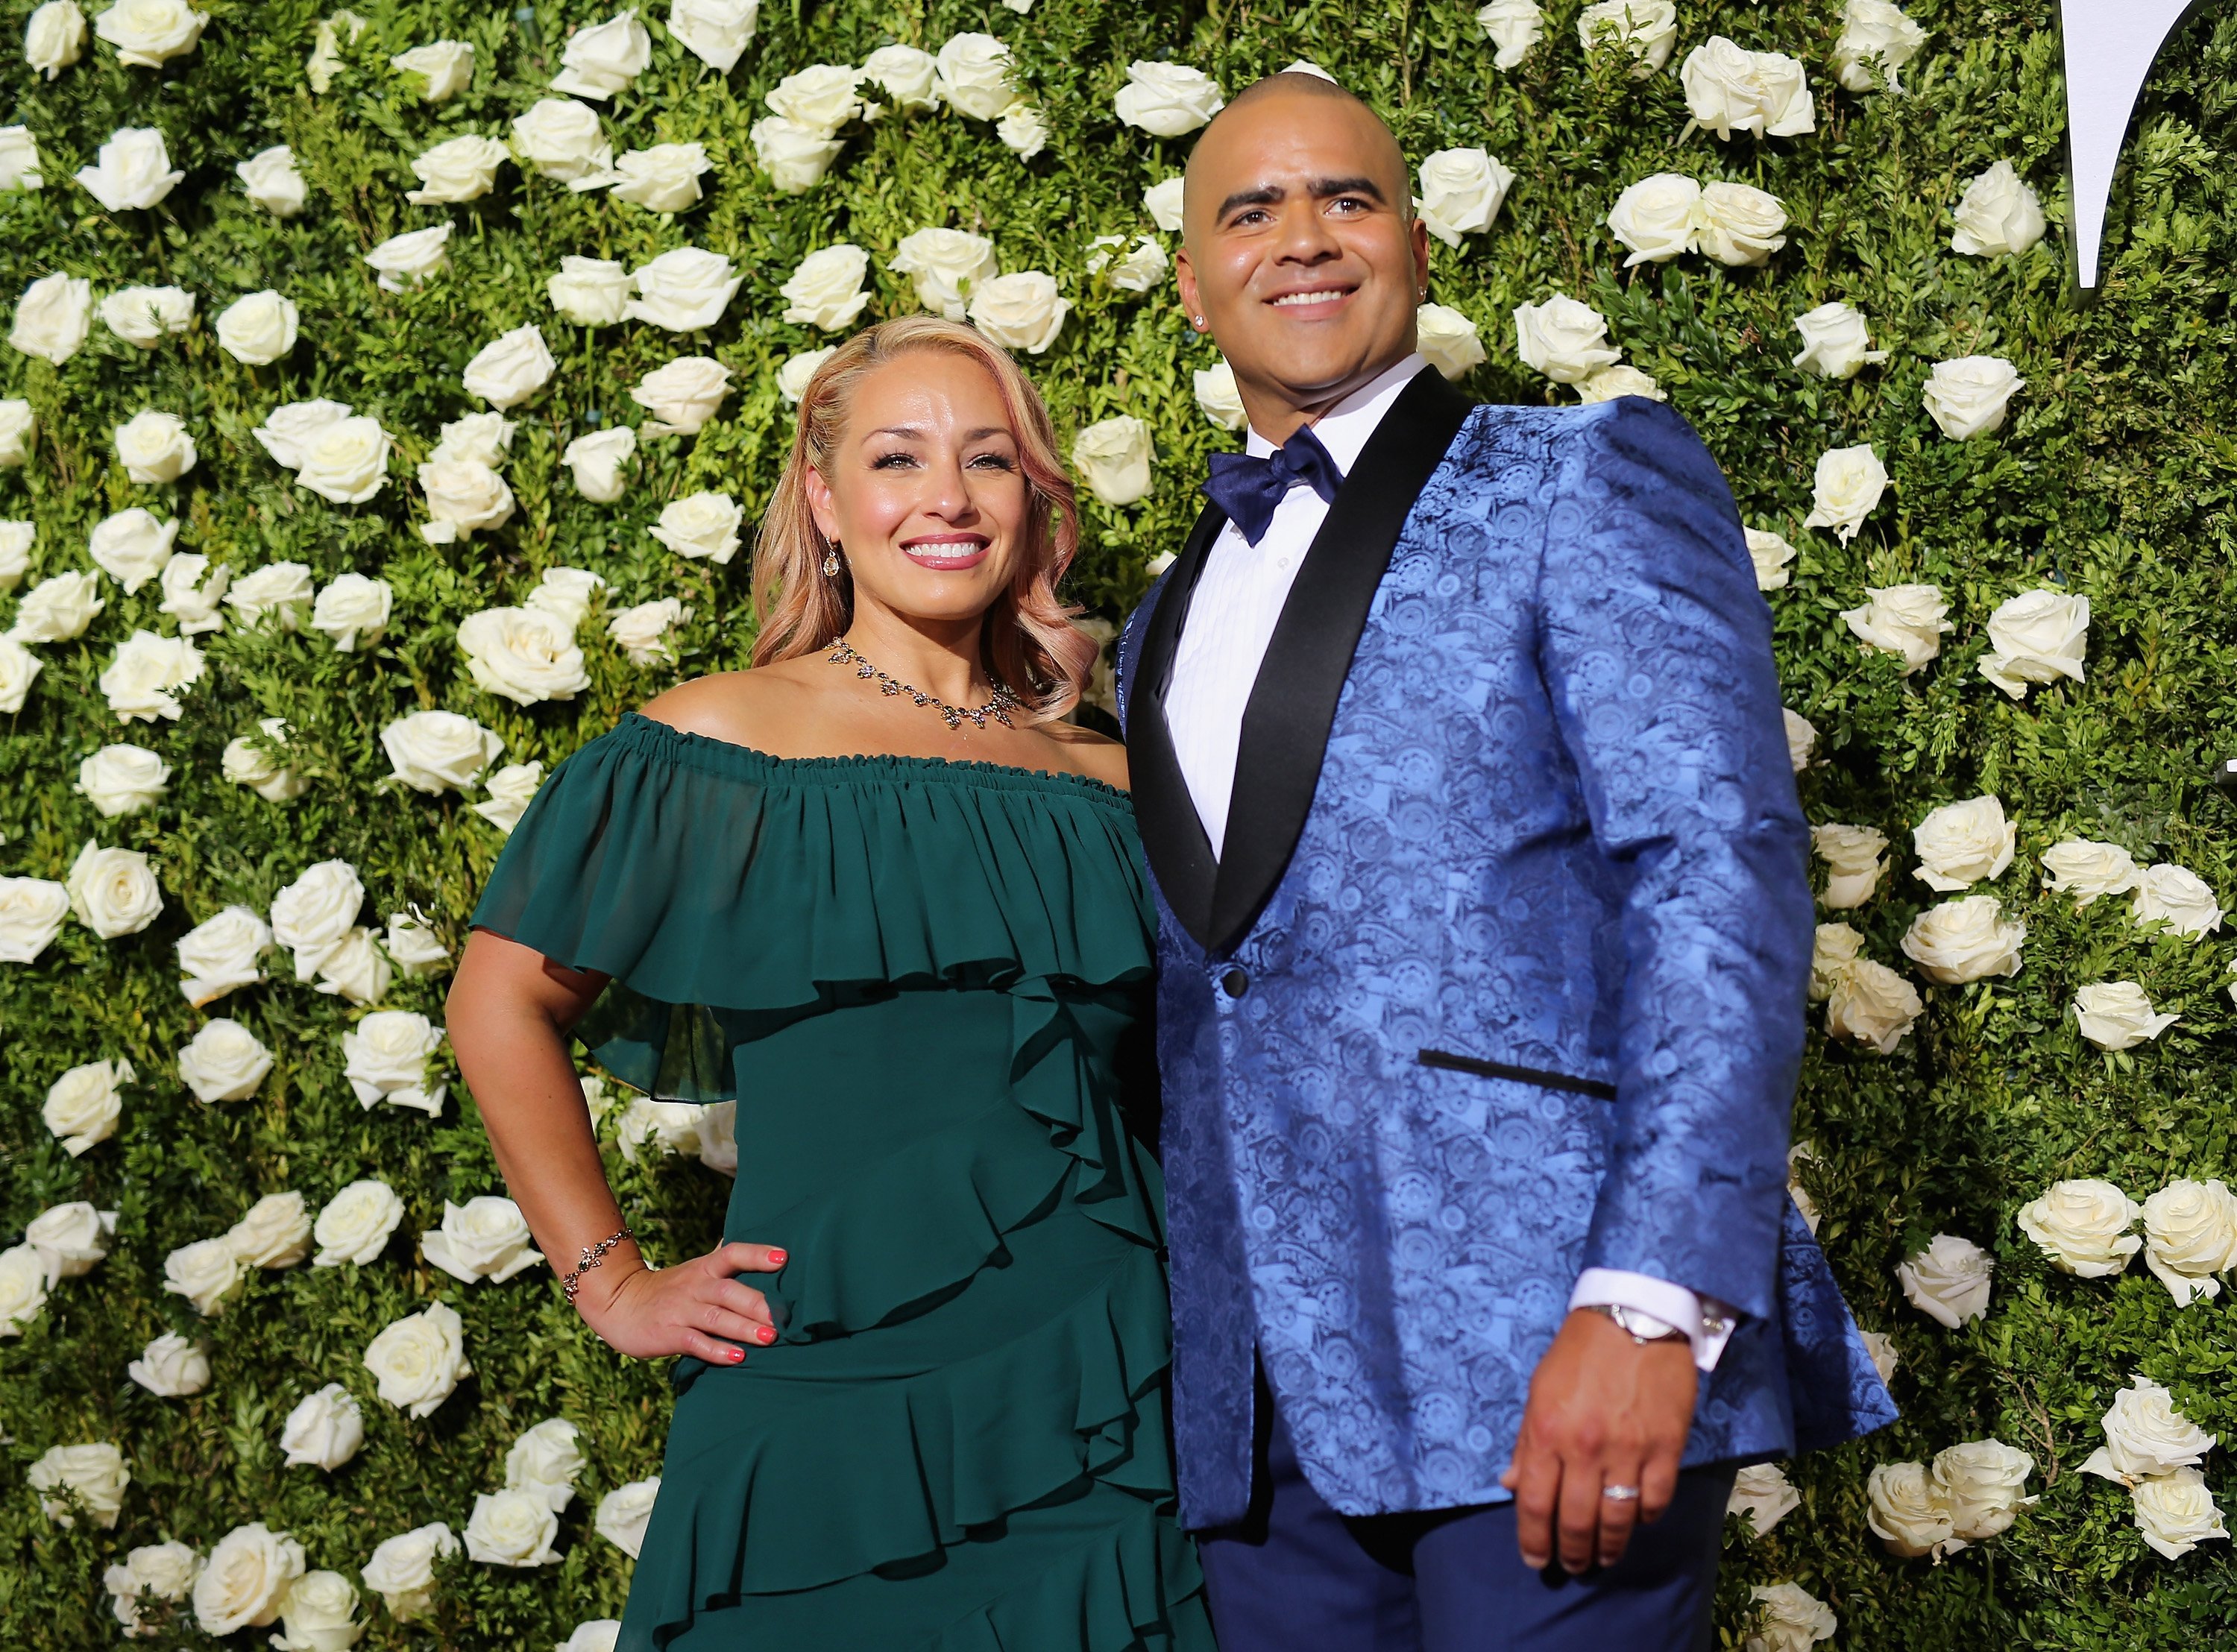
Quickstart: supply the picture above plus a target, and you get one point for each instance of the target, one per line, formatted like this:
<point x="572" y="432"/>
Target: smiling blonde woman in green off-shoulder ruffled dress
<point x="878" y="893"/>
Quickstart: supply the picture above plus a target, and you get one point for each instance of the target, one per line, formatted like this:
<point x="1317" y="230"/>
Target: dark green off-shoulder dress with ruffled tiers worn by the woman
<point x="923" y="982"/>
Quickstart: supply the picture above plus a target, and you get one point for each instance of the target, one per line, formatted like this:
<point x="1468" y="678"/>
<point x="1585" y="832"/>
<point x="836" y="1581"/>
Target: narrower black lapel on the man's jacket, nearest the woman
<point x="1164" y="813"/>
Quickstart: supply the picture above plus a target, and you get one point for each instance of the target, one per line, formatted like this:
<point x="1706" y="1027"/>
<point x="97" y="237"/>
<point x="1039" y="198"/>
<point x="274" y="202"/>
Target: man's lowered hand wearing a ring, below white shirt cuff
<point x="1605" y="1412"/>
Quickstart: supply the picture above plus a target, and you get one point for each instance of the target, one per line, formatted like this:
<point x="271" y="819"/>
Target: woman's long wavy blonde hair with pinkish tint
<point x="1028" y="640"/>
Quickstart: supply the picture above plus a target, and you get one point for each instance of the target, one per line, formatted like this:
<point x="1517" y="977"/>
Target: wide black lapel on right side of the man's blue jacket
<point x="1294" y="699"/>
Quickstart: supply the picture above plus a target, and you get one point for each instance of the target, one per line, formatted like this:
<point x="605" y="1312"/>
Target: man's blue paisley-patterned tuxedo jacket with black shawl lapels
<point x="1502" y="974"/>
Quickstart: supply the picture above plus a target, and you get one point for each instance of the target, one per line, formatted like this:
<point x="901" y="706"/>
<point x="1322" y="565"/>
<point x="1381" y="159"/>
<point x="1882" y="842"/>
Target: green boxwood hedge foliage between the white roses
<point x="2111" y="480"/>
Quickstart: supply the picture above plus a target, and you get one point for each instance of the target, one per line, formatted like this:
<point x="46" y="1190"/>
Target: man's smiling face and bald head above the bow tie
<point x="1301" y="251"/>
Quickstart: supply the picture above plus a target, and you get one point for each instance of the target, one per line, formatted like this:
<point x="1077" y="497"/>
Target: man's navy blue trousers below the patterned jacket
<point x="1301" y="1577"/>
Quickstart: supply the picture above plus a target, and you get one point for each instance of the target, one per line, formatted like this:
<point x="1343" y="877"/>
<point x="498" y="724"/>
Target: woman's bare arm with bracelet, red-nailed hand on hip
<point x="509" y="1018"/>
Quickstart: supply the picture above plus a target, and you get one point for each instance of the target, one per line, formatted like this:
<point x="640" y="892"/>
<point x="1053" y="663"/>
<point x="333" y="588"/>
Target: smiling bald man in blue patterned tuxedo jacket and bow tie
<point x="1484" y="947"/>
